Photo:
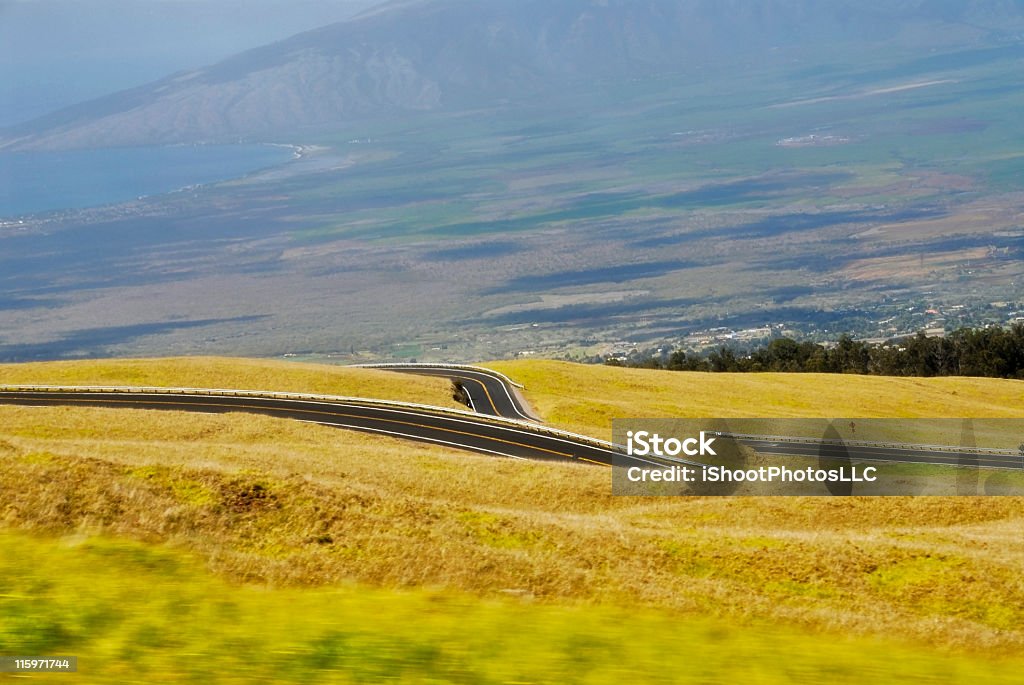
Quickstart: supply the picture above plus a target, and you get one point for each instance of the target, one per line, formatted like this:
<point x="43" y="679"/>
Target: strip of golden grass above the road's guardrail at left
<point x="236" y="374"/>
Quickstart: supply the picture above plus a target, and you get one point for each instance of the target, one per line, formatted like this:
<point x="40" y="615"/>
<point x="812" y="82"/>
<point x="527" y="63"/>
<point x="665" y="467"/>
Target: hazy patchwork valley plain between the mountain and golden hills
<point x="820" y="199"/>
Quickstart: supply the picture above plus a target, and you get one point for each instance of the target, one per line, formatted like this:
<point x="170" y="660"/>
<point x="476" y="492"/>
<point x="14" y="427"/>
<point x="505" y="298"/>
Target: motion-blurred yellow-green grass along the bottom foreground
<point x="134" y="613"/>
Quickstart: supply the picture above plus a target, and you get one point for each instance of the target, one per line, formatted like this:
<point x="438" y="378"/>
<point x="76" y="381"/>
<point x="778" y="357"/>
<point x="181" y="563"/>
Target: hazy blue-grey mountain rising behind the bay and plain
<point x="429" y="55"/>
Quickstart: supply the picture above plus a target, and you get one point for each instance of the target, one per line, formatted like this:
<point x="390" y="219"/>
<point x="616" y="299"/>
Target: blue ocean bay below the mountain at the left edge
<point x="33" y="183"/>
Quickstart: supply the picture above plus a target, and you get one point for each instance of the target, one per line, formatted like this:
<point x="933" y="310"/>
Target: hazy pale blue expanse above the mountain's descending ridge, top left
<point x="55" y="54"/>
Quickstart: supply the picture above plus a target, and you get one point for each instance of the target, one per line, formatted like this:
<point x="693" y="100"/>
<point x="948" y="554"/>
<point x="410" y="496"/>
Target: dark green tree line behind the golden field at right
<point x="993" y="353"/>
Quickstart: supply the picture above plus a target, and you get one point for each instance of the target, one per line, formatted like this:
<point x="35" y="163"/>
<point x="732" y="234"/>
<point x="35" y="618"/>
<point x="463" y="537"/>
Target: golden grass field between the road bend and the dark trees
<point x="586" y="399"/>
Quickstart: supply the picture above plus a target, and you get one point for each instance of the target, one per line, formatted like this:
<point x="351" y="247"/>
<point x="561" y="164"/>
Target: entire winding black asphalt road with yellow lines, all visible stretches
<point x="500" y="424"/>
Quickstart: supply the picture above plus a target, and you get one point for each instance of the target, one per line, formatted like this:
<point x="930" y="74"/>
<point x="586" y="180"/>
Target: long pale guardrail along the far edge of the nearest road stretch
<point x="331" y="400"/>
